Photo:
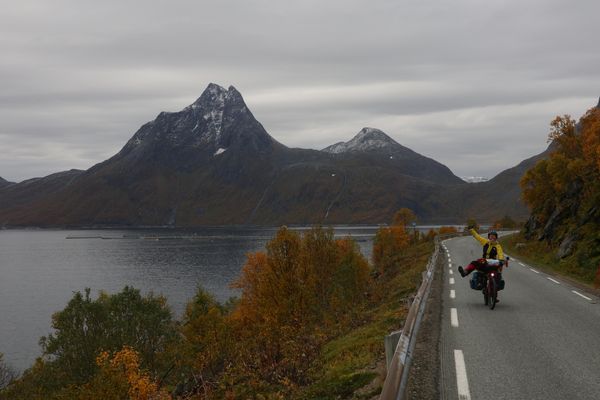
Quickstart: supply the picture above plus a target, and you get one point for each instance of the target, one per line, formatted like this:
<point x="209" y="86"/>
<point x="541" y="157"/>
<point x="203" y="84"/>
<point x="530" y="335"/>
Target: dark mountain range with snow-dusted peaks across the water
<point x="213" y="163"/>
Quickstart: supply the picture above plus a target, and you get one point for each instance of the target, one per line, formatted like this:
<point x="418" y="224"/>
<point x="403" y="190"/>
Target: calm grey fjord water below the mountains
<point x="40" y="270"/>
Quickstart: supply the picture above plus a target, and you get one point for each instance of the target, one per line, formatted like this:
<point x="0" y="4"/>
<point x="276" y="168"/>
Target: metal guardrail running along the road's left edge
<point x="397" y="374"/>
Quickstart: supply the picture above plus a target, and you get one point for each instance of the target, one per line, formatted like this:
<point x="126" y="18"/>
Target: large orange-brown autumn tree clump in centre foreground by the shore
<point x="290" y="296"/>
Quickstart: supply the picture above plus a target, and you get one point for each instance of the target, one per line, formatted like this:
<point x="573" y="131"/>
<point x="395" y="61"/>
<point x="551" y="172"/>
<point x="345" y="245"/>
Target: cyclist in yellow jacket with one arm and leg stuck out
<point x="492" y="250"/>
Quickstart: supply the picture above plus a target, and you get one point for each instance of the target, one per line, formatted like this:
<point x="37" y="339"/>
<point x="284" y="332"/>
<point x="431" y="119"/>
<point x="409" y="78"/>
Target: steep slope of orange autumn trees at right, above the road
<point x="563" y="192"/>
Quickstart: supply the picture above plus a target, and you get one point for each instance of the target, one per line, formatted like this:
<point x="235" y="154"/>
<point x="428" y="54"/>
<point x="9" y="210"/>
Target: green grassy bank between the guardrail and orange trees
<point x="352" y="366"/>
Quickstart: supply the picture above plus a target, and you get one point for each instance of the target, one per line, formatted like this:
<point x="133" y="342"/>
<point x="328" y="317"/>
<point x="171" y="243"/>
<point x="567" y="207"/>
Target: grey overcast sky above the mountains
<point x="473" y="84"/>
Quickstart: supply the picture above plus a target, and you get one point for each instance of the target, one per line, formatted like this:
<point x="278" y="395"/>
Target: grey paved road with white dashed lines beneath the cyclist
<point x="542" y="341"/>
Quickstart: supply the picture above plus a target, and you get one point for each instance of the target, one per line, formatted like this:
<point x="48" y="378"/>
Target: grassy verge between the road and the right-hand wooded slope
<point x="543" y="256"/>
